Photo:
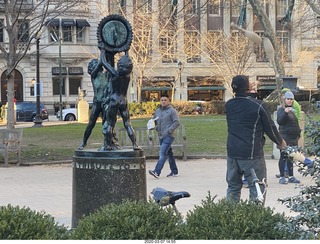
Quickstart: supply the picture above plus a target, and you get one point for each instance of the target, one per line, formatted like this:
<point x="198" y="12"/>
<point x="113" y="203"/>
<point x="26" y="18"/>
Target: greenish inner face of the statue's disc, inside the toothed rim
<point x="114" y="33"/>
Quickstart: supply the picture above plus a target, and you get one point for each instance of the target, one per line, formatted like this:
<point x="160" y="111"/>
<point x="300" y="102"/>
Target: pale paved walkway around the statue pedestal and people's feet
<point x="49" y="187"/>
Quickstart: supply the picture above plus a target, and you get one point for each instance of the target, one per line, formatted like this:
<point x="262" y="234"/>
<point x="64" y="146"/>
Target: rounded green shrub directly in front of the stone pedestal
<point x="129" y="220"/>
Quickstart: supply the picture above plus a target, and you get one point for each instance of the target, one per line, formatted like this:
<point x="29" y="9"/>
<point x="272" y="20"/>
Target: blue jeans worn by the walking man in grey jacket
<point x="166" y="152"/>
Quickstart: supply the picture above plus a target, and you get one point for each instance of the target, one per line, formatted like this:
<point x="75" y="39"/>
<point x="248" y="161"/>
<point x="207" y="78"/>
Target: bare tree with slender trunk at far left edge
<point x="24" y="20"/>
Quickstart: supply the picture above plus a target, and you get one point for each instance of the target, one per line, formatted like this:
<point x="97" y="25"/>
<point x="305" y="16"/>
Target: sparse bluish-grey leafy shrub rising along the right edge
<point x="307" y="203"/>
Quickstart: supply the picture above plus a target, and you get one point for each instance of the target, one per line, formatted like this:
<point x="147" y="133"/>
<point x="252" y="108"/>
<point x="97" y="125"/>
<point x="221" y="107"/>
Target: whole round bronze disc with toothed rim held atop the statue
<point x="114" y="34"/>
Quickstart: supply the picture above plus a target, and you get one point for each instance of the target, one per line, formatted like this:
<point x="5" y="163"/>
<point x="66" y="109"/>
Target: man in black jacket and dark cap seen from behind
<point x="248" y="120"/>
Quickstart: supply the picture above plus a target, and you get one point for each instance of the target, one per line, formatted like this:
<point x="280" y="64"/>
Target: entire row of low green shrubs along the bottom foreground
<point x="149" y="221"/>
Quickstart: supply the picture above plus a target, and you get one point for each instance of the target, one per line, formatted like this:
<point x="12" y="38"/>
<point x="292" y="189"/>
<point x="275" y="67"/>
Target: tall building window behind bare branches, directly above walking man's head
<point x="168" y="46"/>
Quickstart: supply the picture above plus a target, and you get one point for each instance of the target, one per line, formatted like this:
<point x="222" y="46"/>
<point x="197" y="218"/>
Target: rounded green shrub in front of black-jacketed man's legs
<point x="225" y="220"/>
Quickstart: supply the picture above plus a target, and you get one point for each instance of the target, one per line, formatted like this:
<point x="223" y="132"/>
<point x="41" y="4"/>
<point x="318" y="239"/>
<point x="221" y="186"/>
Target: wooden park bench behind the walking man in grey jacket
<point x="148" y="140"/>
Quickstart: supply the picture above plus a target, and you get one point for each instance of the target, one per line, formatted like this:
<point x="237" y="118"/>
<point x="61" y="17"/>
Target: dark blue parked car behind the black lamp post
<point x="27" y="111"/>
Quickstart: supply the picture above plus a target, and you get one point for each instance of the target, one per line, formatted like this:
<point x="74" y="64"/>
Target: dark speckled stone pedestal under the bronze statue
<point x="100" y="178"/>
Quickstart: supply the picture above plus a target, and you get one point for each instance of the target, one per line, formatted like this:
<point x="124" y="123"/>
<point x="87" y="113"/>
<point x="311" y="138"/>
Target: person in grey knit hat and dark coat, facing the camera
<point x="289" y="130"/>
